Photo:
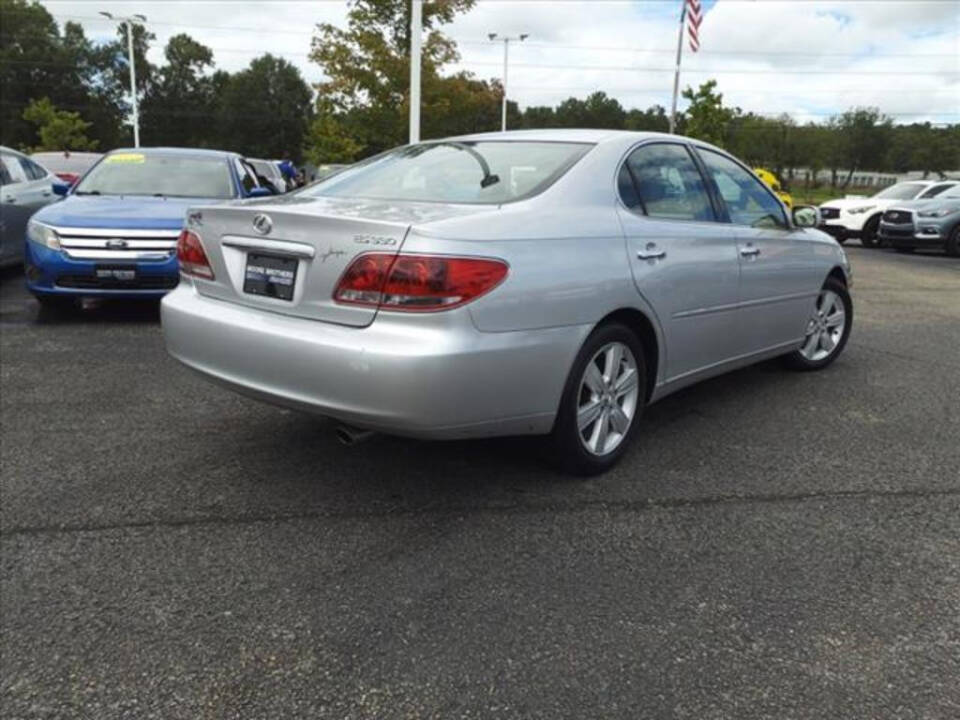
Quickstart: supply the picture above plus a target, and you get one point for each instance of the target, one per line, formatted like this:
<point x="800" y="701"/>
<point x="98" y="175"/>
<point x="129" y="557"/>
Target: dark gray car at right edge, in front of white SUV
<point x="933" y="223"/>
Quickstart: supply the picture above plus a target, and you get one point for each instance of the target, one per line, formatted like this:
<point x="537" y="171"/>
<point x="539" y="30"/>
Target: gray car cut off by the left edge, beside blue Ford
<point x="25" y="187"/>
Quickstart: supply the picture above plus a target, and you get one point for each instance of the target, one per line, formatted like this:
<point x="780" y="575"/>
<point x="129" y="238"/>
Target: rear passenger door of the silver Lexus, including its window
<point x="684" y="262"/>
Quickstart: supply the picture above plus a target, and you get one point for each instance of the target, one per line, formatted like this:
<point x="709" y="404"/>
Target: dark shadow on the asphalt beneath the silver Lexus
<point x="294" y="461"/>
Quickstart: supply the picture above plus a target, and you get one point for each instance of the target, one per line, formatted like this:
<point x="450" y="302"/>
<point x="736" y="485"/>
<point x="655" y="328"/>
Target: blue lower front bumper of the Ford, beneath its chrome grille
<point x="51" y="272"/>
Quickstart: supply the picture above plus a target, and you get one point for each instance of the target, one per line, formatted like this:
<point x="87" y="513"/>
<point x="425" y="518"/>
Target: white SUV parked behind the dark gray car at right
<point x="858" y="216"/>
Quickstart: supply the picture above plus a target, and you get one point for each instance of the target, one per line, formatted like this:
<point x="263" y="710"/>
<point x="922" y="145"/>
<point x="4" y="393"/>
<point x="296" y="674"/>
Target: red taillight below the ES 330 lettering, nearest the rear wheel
<point x="417" y="282"/>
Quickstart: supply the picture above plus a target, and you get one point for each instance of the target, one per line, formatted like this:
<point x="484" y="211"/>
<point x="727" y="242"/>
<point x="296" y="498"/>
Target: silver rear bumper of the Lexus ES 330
<point x="430" y="375"/>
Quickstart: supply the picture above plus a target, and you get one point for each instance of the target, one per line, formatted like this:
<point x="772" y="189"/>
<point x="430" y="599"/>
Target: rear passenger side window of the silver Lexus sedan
<point x="666" y="183"/>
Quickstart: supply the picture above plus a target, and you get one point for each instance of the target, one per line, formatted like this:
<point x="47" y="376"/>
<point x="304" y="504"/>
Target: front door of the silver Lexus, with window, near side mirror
<point x="778" y="276"/>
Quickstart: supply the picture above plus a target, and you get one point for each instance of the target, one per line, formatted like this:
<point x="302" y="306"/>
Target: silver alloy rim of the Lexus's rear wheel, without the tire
<point x="608" y="397"/>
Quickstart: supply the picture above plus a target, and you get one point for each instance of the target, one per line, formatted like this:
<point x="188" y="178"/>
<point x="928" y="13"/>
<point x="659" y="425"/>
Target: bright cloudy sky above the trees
<point x="808" y="58"/>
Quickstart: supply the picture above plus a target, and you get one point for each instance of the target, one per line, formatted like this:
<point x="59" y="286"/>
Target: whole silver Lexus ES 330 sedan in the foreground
<point x="547" y="282"/>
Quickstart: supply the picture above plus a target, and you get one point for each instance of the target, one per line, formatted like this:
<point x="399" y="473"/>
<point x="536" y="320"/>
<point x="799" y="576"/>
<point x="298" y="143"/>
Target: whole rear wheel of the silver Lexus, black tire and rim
<point x="581" y="447"/>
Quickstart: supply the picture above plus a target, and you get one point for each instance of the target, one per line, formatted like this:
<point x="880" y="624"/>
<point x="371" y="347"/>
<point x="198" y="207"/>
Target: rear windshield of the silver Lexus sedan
<point x="483" y="172"/>
